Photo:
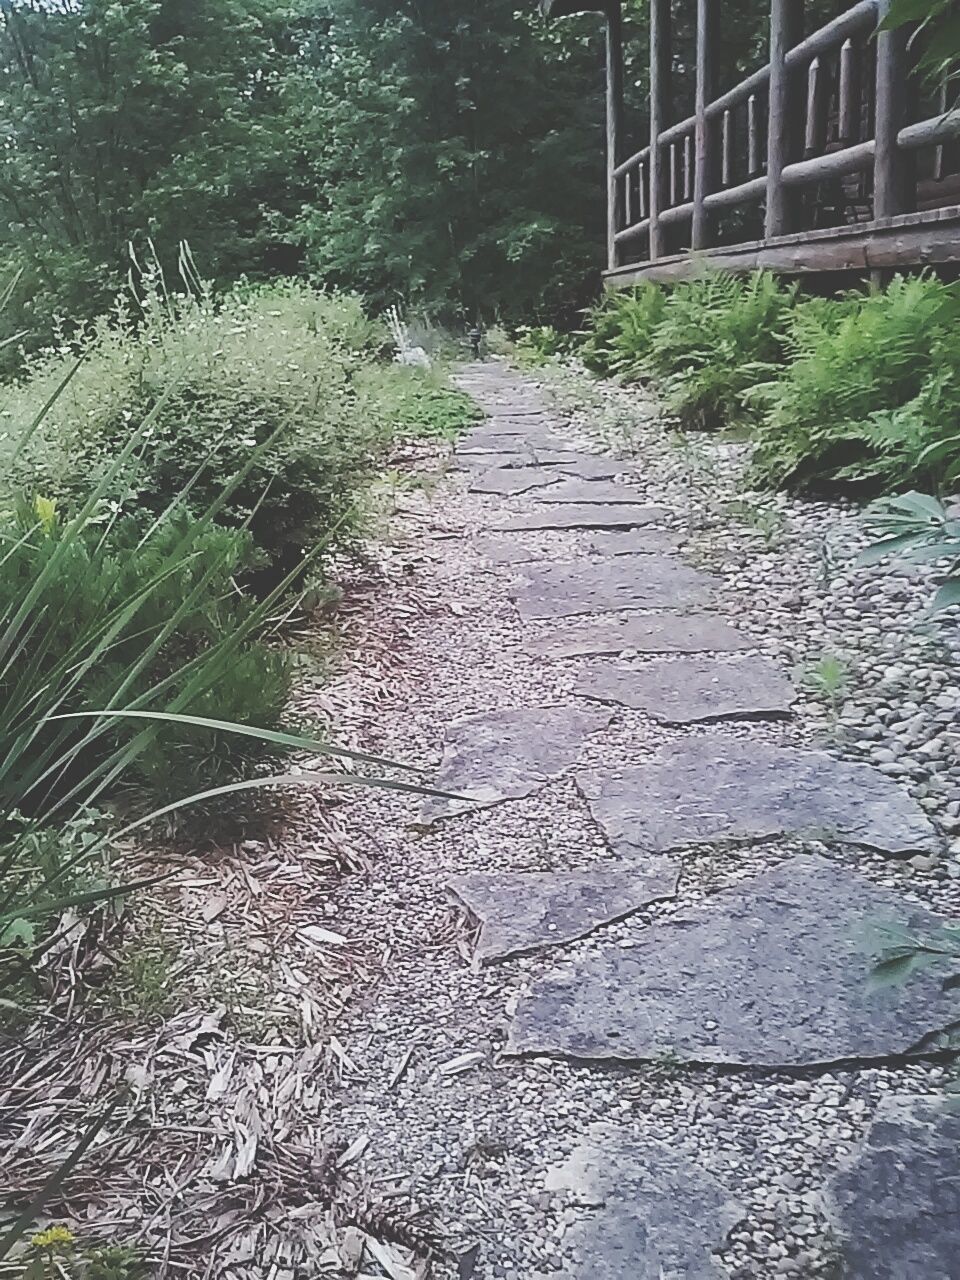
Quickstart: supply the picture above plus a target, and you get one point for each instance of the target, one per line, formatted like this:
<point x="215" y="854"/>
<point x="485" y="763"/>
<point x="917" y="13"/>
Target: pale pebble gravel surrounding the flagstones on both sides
<point x="472" y="1148"/>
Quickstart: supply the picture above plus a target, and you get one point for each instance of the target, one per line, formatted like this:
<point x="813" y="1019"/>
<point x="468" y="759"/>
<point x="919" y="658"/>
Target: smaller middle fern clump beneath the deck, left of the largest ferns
<point x="716" y="339"/>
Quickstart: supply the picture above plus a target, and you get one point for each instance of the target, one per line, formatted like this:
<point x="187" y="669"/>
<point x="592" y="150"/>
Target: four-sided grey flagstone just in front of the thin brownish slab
<point x="685" y="691"/>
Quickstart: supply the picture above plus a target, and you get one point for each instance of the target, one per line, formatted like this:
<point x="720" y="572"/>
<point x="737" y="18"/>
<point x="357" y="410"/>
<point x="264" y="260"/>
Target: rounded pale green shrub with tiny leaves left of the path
<point x="269" y="373"/>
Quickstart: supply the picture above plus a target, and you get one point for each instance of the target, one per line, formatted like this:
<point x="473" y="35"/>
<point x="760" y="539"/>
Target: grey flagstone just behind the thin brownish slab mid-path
<point x="566" y="588"/>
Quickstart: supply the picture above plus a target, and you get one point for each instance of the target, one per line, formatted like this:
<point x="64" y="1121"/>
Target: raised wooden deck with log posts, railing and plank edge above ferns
<point x="830" y="153"/>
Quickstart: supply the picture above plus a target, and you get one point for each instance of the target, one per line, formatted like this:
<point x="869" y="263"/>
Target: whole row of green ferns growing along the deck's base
<point x="860" y="391"/>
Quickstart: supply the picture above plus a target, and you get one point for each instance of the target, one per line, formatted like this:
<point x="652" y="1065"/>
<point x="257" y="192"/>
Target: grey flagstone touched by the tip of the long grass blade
<point x="508" y="755"/>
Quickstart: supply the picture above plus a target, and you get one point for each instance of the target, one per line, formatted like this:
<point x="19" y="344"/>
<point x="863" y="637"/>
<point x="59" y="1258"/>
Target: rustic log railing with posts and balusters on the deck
<point x="767" y="139"/>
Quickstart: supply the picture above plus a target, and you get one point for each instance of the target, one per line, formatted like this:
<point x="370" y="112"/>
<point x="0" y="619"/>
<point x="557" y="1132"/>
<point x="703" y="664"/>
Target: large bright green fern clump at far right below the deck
<point x="871" y="395"/>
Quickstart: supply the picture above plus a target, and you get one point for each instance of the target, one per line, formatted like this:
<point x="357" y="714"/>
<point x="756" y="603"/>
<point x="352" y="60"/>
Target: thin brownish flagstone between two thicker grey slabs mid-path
<point x="643" y="633"/>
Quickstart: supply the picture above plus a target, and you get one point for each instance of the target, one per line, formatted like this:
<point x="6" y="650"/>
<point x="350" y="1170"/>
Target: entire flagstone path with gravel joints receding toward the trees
<point x="673" y="902"/>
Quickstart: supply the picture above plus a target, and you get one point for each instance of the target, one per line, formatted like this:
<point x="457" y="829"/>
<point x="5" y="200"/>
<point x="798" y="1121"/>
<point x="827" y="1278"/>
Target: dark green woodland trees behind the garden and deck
<point x="442" y="154"/>
